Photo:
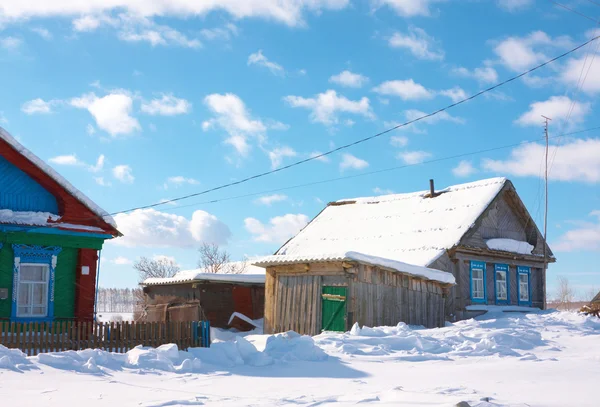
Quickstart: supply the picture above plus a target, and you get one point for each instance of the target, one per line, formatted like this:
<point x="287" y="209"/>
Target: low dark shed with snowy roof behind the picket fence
<point x="194" y="295"/>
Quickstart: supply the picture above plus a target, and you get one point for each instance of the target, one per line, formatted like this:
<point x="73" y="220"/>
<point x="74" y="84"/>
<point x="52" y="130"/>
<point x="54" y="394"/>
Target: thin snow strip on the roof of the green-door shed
<point x="419" y="271"/>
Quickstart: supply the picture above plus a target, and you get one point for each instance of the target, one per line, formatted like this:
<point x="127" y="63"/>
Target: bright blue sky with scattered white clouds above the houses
<point x="135" y="103"/>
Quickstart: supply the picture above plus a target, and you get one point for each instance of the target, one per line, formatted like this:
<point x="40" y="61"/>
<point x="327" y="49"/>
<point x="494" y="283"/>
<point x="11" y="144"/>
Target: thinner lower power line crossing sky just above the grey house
<point x="452" y="157"/>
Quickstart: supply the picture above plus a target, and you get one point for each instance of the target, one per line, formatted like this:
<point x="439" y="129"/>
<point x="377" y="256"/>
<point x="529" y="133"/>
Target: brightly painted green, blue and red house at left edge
<point x="50" y="237"/>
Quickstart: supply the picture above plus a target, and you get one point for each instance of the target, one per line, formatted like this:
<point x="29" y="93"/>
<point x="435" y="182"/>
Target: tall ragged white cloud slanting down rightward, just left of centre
<point x="231" y="115"/>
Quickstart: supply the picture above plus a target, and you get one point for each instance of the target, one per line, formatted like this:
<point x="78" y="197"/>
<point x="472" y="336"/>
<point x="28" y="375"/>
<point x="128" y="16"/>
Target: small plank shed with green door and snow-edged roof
<point x="310" y="294"/>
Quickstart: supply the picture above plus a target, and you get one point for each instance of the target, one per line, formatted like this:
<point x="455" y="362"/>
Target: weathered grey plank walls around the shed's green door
<point x="375" y="297"/>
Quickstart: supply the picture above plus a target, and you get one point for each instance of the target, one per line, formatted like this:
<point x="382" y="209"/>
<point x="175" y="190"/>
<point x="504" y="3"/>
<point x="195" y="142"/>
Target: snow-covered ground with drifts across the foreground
<point x="543" y="359"/>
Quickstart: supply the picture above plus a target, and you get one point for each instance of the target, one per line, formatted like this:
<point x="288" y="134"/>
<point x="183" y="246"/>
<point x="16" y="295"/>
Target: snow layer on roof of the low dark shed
<point x="249" y="274"/>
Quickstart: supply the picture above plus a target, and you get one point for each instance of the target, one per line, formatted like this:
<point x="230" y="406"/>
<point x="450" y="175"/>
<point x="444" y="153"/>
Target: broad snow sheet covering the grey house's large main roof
<point x="411" y="228"/>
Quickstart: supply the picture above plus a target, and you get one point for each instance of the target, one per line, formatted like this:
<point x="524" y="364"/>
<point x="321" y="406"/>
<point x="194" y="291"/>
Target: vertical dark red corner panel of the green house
<point x="85" y="285"/>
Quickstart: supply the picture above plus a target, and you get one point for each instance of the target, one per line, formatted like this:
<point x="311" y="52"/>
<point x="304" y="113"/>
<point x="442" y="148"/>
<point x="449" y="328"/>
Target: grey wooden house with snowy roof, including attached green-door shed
<point x="478" y="235"/>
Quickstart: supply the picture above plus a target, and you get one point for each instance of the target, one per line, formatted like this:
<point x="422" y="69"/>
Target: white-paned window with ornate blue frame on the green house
<point x="33" y="282"/>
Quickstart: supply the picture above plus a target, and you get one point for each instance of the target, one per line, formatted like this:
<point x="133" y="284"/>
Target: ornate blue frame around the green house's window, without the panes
<point x="38" y="255"/>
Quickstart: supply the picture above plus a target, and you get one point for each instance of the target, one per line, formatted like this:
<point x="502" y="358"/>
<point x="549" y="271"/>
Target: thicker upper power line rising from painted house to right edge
<point x="360" y="141"/>
